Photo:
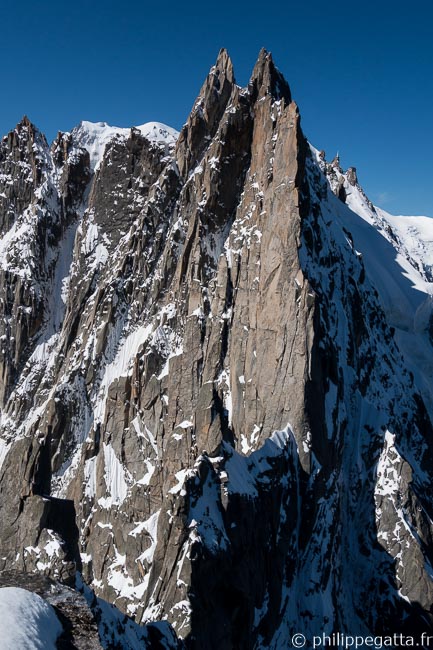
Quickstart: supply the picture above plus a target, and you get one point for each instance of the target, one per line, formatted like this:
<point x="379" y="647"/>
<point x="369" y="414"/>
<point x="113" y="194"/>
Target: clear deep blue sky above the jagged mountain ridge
<point x="361" y="72"/>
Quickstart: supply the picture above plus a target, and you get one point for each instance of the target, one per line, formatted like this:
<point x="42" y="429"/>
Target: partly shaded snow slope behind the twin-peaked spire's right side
<point x="398" y="256"/>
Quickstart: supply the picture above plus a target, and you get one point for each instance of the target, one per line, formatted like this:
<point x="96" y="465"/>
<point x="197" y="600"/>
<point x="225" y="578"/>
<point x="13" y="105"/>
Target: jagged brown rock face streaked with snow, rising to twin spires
<point x="211" y="408"/>
